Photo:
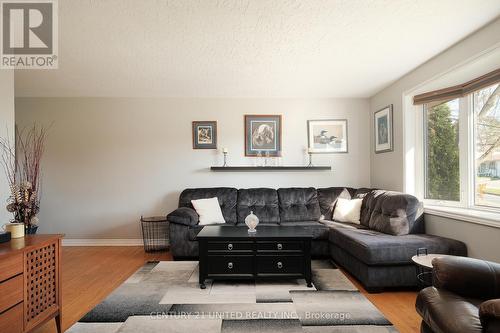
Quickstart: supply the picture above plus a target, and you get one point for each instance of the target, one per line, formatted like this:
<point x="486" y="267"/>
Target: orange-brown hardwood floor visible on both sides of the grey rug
<point x="89" y="274"/>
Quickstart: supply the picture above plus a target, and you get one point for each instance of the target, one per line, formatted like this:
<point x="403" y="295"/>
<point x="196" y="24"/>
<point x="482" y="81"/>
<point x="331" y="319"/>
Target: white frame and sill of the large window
<point x="412" y="140"/>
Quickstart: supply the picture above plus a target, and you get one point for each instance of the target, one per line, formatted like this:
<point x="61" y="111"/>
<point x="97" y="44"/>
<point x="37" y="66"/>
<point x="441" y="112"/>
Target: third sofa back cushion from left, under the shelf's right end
<point x="298" y="204"/>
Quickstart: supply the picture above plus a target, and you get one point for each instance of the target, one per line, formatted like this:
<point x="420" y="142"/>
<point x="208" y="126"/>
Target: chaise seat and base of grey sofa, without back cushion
<point x="380" y="260"/>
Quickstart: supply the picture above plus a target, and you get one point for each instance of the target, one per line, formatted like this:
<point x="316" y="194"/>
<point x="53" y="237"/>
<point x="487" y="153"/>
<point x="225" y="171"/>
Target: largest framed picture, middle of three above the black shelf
<point x="262" y="134"/>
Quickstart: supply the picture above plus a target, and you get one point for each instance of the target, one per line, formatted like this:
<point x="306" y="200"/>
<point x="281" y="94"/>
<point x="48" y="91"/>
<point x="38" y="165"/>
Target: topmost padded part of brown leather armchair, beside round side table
<point x="467" y="277"/>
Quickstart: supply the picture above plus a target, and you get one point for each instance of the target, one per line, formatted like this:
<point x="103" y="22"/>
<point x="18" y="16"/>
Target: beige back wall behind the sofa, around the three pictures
<point x="110" y="160"/>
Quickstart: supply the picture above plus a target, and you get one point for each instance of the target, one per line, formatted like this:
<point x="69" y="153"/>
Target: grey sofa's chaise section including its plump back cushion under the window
<point x="379" y="250"/>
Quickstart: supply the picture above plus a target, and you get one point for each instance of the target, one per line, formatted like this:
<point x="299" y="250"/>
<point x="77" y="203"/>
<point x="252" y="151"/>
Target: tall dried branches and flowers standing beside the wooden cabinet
<point x="21" y="161"/>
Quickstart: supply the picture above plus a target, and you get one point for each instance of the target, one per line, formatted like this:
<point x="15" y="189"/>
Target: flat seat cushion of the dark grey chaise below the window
<point x="376" y="248"/>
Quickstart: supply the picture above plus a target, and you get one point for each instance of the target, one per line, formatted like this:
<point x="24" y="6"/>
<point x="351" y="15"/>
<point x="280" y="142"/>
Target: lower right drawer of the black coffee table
<point x="280" y="265"/>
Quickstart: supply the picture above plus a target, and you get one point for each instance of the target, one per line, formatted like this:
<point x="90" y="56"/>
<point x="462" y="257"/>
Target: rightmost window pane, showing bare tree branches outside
<point x="486" y="106"/>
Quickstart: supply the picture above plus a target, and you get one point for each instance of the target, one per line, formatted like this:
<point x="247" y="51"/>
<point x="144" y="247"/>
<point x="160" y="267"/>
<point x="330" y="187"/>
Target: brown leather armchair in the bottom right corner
<point x="465" y="297"/>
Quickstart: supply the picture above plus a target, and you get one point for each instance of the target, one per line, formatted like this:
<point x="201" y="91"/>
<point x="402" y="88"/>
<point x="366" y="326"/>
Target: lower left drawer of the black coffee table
<point x="230" y="265"/>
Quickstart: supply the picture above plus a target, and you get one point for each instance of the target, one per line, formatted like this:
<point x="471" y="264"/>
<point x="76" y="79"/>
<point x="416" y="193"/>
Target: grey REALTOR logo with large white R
<point x="28" y="34"/>
